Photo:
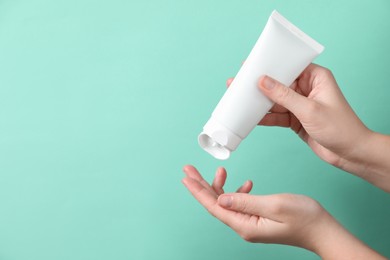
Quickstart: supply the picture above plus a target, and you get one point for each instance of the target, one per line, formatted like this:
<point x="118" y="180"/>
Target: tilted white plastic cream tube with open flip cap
<point x="282" y="52"/>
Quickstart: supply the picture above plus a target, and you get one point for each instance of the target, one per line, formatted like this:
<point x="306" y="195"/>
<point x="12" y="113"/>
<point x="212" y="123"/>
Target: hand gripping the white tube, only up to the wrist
<point x="317" y="111"/>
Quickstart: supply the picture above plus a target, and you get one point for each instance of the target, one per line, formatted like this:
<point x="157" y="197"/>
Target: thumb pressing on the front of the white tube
<point x="284" y="96"/>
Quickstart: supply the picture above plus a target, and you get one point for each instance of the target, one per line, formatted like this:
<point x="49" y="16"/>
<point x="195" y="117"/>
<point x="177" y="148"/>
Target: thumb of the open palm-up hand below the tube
<point x="265" y="206"/>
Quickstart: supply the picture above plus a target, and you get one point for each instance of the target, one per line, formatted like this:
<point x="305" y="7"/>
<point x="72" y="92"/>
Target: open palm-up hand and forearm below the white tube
<point x="281" y="219"/>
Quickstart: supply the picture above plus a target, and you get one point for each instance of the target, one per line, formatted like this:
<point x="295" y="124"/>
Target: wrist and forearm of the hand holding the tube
<point x="370" y="160"/>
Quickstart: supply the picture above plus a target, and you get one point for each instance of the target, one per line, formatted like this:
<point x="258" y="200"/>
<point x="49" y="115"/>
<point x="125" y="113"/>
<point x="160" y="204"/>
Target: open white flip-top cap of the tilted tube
<point x="218" y="140"/>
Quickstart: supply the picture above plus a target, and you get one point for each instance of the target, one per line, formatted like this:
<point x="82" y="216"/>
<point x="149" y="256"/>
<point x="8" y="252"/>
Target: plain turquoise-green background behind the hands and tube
<point x="101" y="103"/>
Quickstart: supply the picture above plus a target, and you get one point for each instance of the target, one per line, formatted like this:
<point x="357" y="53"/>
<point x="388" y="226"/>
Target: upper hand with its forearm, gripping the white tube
<point x="315" y="108"/>
